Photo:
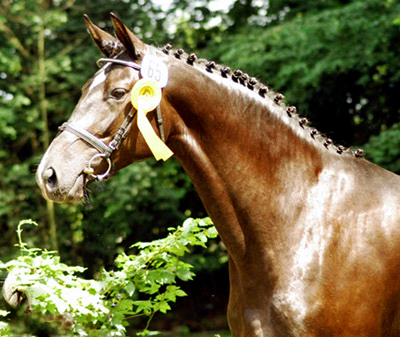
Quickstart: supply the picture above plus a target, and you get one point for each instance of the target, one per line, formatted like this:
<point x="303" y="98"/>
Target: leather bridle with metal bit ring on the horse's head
<point x="106" y="150"/>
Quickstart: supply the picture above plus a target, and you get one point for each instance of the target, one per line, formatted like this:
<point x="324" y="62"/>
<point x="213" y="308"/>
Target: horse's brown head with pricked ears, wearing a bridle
<point x="91" y="144"/>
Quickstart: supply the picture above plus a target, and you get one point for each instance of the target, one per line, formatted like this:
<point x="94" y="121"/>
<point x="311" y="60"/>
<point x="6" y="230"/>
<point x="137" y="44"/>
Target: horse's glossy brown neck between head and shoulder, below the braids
<point x="245" y="161"/>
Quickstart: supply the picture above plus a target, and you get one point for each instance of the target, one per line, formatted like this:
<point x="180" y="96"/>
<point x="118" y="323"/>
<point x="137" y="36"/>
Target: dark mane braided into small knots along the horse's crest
<point x="252" y="84"/>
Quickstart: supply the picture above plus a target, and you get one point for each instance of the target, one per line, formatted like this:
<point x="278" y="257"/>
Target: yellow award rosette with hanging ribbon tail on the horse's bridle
<point x="145" y="97"/>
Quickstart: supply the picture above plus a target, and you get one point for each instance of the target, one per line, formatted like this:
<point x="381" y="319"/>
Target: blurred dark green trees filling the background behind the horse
<point x="336" y="60"/>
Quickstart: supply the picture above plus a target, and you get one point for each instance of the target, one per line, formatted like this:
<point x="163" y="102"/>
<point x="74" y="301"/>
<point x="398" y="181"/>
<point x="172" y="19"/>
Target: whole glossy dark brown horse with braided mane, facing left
<point x="312" y="229"/>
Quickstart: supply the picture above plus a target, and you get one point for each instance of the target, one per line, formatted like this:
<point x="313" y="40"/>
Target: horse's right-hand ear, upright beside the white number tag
<point x="134" y="46"/>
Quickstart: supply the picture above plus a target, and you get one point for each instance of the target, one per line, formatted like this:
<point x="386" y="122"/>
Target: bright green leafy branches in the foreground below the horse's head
<point x="140" y="285"/>
